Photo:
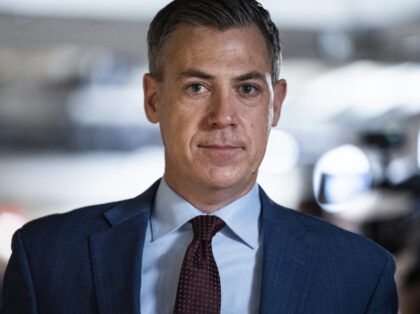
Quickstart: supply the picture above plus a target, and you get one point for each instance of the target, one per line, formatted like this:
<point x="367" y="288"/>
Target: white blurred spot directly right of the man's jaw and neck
<point x="282" y="152"/>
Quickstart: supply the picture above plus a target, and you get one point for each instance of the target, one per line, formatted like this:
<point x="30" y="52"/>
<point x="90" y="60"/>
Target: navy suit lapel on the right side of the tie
<point x="287" y="260"/>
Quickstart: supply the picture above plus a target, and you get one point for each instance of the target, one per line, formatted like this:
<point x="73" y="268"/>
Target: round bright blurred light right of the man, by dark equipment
<point x="341" y="177"/>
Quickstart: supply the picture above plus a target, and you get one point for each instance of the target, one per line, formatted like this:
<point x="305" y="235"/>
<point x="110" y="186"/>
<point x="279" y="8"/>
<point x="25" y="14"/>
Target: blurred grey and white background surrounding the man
<point x="347" y="149"/>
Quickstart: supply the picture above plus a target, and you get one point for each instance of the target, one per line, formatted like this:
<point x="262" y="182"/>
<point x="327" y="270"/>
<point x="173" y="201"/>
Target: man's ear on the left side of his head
<point x="151" y="89"/>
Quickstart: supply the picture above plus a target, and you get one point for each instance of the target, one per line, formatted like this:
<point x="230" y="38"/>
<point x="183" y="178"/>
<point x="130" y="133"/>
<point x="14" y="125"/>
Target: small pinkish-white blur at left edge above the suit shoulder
<point x="10" y="221"/>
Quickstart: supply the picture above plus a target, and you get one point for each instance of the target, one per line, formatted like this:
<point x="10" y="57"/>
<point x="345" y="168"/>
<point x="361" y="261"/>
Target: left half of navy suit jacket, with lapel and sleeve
<point x="74" y="262"/>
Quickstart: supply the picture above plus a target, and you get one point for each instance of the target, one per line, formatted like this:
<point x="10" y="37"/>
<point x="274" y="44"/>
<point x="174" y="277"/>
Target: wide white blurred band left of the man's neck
<point x="57" y="182"/>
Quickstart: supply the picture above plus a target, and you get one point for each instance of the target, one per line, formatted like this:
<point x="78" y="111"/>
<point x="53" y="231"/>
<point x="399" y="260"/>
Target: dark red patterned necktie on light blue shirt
<point x="199" y="282"/>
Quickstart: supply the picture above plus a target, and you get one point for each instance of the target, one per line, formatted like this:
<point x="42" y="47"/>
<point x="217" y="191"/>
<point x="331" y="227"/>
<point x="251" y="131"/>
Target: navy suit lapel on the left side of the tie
<point x="116" y="255"/>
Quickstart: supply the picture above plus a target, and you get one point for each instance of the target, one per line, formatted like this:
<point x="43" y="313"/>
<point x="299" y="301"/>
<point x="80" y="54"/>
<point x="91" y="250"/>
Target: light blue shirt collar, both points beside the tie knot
<point x="171" y="211"/>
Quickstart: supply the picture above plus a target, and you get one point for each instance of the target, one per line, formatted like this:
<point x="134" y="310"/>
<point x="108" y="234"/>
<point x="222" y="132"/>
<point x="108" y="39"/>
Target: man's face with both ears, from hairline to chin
<point x="215" y="105"/>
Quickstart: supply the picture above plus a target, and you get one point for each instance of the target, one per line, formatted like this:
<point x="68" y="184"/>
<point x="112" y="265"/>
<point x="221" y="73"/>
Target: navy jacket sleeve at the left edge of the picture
<point x="18" y="289"/>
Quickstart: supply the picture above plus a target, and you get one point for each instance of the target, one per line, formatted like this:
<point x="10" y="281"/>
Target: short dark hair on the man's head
<point x="221" y="14"/>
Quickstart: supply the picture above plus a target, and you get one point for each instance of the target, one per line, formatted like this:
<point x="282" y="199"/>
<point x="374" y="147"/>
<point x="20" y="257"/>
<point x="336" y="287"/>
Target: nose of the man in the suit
<point x="222" y="112"/>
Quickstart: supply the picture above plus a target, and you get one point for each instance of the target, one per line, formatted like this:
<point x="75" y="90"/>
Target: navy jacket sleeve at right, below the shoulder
<point x="384" y="298"/>
